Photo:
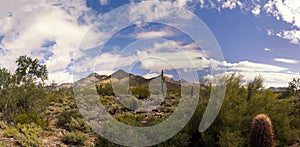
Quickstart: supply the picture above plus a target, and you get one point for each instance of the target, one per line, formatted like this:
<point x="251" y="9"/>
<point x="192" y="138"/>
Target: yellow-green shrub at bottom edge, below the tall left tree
<point x="29" y="135"/>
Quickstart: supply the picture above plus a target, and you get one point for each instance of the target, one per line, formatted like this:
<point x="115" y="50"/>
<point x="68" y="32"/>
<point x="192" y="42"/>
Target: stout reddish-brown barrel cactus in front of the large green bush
<point x="261" y="132"/>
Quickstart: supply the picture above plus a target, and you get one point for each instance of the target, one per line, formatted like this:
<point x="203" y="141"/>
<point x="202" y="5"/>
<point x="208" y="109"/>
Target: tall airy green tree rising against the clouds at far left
<point x="24" y="96"/>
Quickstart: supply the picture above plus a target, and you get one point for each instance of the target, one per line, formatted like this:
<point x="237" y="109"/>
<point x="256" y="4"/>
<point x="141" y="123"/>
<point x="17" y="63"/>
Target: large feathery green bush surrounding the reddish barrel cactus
<point x="241" y="104"/>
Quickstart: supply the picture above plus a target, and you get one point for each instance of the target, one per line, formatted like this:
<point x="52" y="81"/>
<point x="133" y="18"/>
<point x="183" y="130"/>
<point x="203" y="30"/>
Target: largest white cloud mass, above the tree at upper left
<point x="31" y="23"/>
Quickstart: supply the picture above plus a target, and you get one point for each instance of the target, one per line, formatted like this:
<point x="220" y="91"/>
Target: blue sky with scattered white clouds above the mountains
<point x="257" y="37"/>
